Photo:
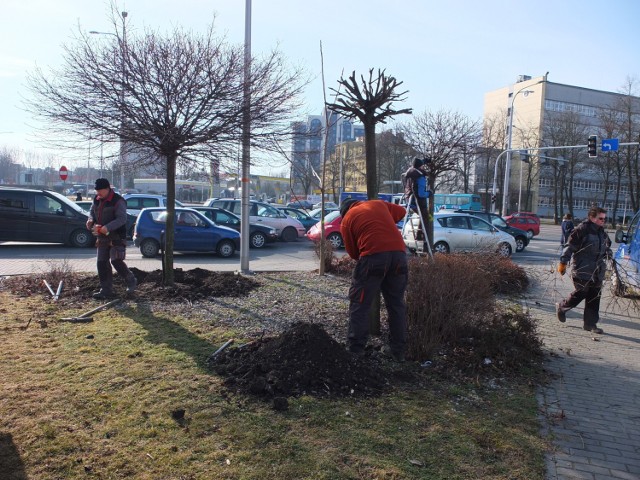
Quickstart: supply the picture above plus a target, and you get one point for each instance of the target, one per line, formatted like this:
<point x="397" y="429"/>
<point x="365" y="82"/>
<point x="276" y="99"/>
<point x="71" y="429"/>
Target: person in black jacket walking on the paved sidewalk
<point x="589" y="247"/>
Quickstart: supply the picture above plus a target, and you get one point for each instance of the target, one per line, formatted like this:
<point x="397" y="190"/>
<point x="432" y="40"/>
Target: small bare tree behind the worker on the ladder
<point x="444" y="137"/>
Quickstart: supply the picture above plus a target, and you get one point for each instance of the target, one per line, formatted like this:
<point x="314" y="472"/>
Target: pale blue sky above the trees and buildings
<point x="448" y="53"/>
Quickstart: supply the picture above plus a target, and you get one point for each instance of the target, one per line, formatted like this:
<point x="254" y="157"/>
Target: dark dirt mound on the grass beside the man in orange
<point x="303" y="360"/>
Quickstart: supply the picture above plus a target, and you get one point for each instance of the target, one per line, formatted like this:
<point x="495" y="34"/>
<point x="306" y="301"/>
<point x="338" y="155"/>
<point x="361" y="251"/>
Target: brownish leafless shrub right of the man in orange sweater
<point x="451" y="297"/>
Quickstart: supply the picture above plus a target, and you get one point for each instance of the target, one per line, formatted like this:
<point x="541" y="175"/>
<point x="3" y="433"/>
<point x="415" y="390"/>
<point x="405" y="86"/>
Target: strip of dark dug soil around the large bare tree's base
<point x="190" y="285"/>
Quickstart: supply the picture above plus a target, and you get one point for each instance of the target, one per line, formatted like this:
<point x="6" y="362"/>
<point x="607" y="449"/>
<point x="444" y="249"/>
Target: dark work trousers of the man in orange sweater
<point x="386" y="272"/>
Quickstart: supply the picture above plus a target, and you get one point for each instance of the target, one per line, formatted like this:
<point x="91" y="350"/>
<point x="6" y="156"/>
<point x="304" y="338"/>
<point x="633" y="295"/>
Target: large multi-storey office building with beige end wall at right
<point x="539" y="113"/>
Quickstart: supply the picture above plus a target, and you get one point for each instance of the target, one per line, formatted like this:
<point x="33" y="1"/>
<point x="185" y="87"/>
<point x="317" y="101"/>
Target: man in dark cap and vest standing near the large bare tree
<point x="107" y="221"/>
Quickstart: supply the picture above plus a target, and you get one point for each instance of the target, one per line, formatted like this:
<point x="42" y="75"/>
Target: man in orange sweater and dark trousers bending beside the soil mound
<point x="371" y="237"/>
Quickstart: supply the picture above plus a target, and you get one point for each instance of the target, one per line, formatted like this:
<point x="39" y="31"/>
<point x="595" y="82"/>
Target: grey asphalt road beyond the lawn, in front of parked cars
<point x="24" y="258"/>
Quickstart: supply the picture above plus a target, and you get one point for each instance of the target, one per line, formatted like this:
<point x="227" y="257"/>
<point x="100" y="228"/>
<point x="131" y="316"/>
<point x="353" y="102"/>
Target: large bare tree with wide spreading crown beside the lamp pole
<point x="177" y="98"/>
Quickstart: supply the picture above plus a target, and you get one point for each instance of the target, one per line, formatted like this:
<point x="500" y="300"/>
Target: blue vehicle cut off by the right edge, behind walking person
<point x="626" y="261"/>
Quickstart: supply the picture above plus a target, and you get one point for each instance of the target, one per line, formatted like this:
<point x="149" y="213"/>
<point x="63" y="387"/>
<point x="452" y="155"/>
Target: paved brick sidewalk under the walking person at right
<point x="590" y="410"/>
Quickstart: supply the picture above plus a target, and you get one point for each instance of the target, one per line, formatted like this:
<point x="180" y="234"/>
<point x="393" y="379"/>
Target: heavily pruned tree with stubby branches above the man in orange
<point x="371" y="102"/>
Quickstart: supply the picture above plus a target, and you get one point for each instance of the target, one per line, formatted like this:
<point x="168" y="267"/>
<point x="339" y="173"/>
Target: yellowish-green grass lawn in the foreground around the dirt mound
<point x="105" y="399"/>
